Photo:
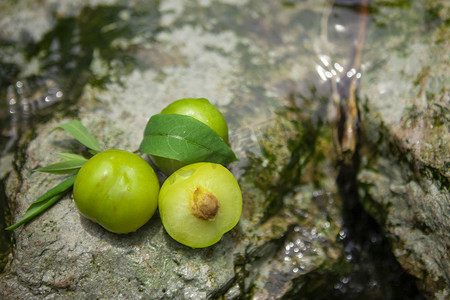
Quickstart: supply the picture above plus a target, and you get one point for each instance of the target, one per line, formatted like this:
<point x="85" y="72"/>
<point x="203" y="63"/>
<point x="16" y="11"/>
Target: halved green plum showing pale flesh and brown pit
<point x="199" y="203"/>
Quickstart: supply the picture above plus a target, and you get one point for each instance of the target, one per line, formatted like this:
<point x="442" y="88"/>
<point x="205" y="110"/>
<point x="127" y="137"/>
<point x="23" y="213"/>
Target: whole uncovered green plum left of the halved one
<point x="117" y="189"/>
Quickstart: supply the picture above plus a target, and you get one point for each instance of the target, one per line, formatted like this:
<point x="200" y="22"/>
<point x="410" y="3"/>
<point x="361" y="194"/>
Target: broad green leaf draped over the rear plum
<point x="185" y="139"/>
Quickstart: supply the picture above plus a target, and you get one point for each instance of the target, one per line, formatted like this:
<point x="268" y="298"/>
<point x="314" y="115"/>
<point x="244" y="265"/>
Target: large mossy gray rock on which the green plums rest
<point x="291" y="208"/>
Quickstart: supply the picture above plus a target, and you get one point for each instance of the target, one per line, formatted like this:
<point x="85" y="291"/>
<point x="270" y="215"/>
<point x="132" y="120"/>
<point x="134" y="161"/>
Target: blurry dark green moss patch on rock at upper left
<point x="94" y="29"/>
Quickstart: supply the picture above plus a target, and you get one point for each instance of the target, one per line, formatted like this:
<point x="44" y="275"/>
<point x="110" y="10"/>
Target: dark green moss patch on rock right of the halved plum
<point x="291" y="152"/>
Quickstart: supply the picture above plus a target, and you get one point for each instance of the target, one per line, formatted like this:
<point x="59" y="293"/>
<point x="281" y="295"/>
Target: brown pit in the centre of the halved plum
<point x="205" y="205"/>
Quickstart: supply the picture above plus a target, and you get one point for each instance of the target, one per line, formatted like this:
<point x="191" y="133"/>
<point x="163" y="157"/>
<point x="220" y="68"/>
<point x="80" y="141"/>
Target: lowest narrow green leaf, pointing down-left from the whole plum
<point x="45" y="201"/>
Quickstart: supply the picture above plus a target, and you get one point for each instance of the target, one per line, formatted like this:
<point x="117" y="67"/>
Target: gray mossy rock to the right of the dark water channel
<point x="406" y="140"/>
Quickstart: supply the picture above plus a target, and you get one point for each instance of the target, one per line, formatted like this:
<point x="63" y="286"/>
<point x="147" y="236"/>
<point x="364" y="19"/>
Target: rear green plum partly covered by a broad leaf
<point x="200" y="109"/>
